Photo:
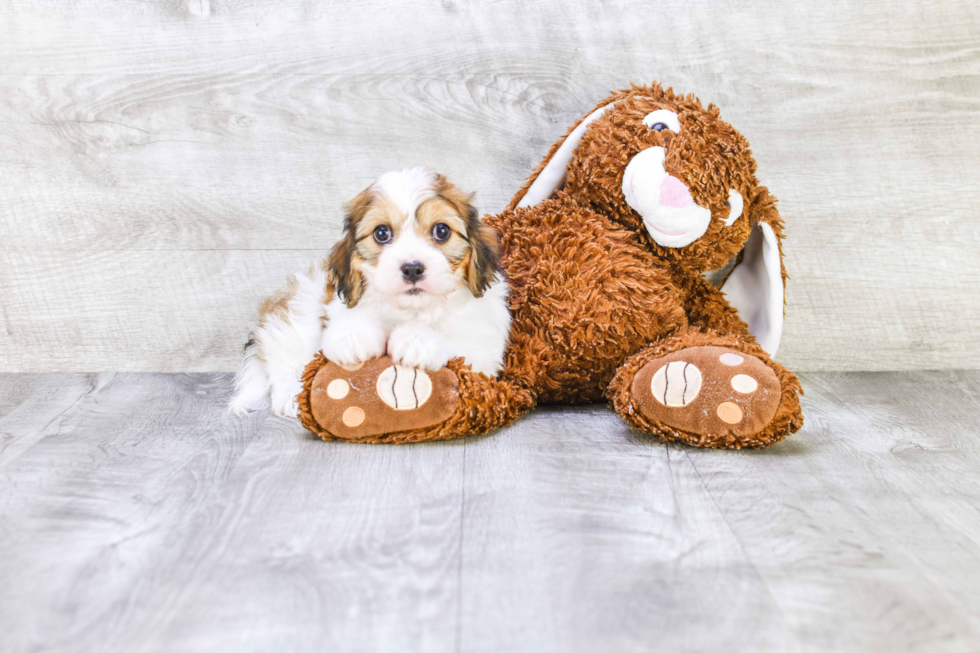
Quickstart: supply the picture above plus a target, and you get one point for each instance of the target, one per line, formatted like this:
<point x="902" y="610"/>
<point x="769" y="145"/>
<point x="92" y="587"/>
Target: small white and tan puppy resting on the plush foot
<point x="415" y="275"/>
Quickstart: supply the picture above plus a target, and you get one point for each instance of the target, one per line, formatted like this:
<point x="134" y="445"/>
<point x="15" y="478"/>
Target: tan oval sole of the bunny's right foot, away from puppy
<point x="709" y="391"/>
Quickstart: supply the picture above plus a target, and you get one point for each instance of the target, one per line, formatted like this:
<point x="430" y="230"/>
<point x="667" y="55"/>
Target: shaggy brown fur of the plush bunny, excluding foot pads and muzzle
<point x="594" y="298"/>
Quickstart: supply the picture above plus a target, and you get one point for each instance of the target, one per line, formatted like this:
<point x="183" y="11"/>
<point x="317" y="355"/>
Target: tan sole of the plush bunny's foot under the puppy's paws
<point x="370" y="400"/>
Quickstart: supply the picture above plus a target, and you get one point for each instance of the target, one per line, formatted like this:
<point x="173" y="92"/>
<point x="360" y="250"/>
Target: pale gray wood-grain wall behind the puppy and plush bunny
<point x="164" y="165"/>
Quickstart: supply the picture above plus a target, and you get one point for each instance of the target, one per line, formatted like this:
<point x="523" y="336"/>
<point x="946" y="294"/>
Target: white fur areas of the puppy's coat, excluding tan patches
<point x="424" y="330"/>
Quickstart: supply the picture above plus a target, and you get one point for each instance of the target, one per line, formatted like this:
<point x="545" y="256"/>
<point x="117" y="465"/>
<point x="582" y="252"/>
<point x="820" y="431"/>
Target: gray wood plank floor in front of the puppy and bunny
<point x="136" y="515"/>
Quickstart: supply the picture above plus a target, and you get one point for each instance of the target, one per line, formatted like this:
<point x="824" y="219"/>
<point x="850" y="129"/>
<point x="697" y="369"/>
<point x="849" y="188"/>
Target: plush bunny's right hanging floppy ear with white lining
<point x="756" y="283"/>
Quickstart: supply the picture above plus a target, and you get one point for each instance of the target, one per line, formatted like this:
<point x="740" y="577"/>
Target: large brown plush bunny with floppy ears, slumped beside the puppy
<point x="645" y="265"/>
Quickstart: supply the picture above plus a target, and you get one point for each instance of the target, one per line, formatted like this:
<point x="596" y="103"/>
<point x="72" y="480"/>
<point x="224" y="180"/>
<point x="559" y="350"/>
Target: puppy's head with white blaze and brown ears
<point x="413" y="238"/>
